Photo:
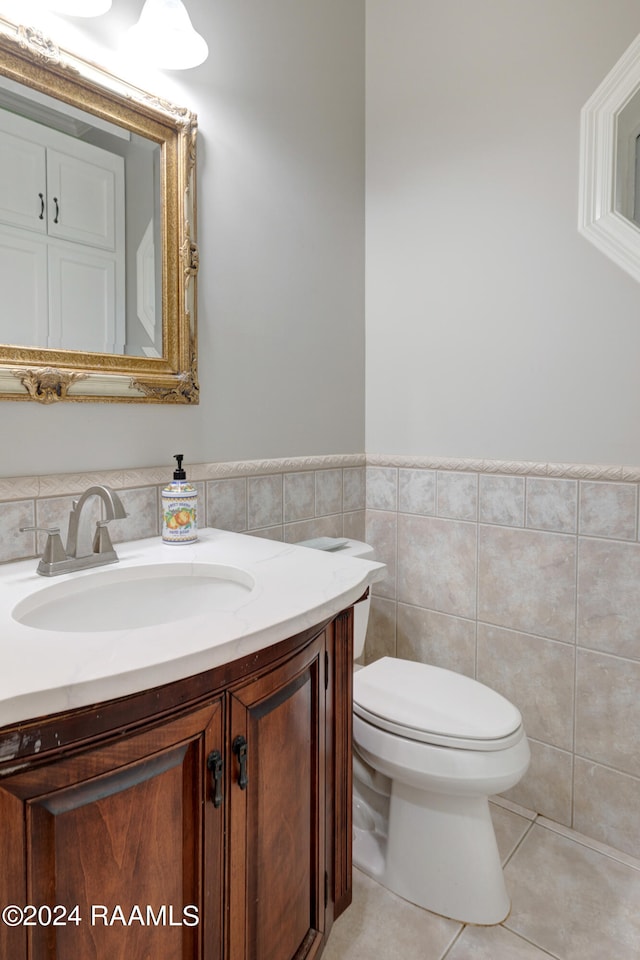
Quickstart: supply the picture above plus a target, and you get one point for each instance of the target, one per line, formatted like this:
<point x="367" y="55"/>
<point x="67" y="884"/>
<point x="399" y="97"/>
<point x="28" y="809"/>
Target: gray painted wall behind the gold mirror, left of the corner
<point x="280" y="103"/>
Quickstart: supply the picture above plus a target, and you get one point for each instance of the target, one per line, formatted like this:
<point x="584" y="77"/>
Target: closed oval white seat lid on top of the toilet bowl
<point x="425" y="698"/>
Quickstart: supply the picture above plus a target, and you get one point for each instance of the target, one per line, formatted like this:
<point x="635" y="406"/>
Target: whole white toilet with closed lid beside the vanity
<point x="430" y="747"/>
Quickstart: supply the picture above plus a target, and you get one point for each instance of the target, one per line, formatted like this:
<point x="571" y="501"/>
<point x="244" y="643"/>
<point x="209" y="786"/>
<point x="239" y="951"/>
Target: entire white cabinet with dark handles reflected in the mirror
<point x="61" y="240"/>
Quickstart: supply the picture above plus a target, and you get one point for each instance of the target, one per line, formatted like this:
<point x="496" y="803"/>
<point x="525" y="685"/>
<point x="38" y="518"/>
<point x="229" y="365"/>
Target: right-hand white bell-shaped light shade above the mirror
<point x="165" y="37"/>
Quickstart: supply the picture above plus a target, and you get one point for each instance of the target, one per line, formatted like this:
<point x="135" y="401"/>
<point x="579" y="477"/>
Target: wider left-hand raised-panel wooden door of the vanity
<point x="127" y="839"/>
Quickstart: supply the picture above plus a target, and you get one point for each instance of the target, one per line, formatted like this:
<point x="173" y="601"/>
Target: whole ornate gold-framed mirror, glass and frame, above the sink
<point x="98" y="253"/>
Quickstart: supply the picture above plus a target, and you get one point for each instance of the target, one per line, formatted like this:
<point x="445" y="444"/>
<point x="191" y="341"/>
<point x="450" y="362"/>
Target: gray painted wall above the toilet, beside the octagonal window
<point x="494" y="330"/>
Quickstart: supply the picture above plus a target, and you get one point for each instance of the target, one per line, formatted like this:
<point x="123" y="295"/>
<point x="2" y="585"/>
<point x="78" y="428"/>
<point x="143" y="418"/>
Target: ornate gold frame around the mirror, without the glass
<point x="50" y="375"/>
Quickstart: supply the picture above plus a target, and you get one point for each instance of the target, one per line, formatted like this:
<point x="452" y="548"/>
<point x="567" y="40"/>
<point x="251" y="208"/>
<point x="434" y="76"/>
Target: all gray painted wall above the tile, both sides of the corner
<point x="493" y="329"/>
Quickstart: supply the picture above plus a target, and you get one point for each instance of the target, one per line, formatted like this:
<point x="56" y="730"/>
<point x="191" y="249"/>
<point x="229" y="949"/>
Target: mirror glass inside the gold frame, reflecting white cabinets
<point x="79" y="200"/>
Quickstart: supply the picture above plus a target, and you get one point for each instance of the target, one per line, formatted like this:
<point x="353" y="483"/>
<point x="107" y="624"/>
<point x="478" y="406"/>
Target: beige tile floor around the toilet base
<point x="572" y="899"/>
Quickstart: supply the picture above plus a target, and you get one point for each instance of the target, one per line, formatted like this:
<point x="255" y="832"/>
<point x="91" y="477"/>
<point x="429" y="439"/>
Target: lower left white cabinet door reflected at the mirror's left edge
<point x="23" y="282"/>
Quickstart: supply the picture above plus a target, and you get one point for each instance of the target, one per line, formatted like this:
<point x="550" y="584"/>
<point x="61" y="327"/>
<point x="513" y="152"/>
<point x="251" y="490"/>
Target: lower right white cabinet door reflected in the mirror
<point x="82" y="301"/>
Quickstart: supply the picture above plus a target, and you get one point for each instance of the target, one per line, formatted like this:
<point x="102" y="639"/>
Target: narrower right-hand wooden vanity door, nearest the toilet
<point x="277" y="811"/>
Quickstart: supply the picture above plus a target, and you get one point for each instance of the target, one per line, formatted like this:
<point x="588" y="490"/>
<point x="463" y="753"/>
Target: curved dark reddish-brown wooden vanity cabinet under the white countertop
<point x="205" y="820"/>
